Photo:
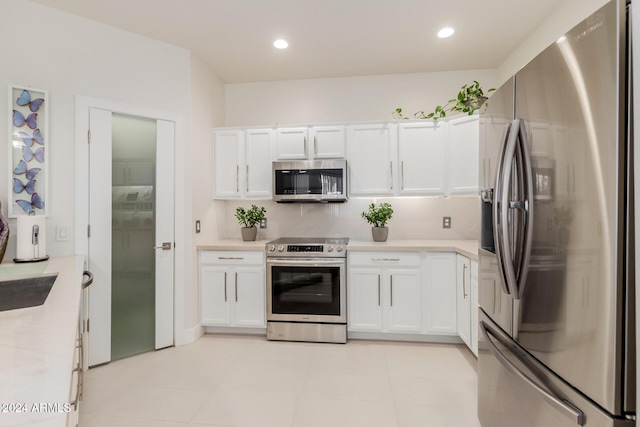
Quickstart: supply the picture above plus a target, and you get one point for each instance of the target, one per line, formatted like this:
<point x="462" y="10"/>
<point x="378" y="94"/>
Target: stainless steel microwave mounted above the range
<point x="310" y="181"/>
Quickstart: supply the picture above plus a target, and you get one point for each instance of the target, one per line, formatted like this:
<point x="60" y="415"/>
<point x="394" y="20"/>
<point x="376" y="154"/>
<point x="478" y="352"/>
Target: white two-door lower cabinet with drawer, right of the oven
<point x="384" y="292"/>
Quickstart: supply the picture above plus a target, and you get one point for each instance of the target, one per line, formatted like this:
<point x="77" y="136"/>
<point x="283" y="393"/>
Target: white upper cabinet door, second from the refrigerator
<point x="422" y="158"/>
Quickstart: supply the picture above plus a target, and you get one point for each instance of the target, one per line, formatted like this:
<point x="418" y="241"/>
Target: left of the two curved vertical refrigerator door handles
<point x="504" y="248"/>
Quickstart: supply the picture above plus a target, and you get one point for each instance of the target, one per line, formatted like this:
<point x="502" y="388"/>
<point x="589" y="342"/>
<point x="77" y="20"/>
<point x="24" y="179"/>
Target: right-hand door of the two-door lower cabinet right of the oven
<point x="405" y="300"/>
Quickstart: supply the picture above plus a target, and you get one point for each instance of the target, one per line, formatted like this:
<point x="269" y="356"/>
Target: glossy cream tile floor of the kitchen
<point x="246" y="381"/>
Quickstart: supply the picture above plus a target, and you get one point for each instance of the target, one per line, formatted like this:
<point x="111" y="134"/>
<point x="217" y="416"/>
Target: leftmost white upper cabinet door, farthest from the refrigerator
<point x="226" y="164"/>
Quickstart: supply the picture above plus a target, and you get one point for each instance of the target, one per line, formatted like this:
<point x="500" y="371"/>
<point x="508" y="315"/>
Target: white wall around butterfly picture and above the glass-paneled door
<point x="67" y="56"/>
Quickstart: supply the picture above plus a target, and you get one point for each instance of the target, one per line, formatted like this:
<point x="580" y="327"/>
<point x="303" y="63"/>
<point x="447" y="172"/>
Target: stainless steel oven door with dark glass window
<point x="306" y="290"/>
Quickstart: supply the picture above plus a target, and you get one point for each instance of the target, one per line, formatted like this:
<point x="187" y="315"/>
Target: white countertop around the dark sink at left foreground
<point x="37" y="346"/>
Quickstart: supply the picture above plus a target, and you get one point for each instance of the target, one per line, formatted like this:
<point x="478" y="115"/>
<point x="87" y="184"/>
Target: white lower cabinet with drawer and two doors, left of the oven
<point x="232" y="288"/>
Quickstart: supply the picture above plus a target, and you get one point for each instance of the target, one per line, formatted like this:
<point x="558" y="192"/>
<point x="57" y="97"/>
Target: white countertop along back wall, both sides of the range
<point x="467" y="248"/>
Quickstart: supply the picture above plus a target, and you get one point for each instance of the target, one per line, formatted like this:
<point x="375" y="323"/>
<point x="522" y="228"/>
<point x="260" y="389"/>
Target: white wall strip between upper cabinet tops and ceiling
<point x="344" y="99"/>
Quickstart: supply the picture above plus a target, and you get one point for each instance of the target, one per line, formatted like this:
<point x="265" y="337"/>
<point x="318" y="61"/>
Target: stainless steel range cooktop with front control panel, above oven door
<point x="308" y="247"/>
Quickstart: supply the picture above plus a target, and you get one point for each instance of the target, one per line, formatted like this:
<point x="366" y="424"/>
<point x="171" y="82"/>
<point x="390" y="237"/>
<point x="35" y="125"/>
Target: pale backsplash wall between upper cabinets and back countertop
<point x="413" y="218"/>
